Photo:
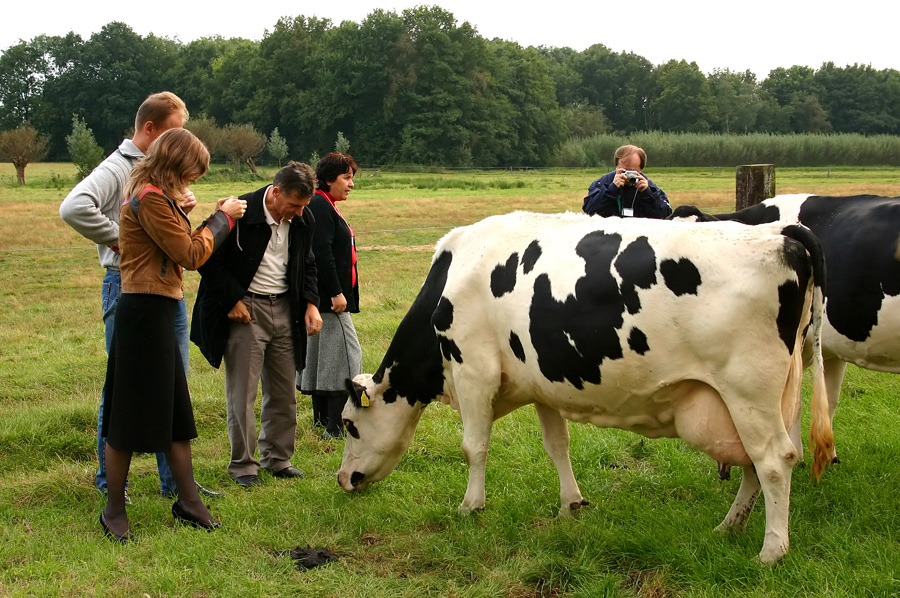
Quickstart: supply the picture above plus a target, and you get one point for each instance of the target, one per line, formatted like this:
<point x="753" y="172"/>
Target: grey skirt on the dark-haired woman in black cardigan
<point x="332" y="356"/>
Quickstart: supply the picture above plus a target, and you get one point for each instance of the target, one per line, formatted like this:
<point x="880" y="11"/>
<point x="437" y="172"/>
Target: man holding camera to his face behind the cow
<point x="625" y="191"/>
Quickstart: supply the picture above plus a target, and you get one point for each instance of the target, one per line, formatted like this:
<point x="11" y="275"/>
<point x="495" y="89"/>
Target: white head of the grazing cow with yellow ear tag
<point x="378" y="432"/>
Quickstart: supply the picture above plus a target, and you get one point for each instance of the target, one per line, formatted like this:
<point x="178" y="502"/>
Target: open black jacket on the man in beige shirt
<point x="227" y="275"/>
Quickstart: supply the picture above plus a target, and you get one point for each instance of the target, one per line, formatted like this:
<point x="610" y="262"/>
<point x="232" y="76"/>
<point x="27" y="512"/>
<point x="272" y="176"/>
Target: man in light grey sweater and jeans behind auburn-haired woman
<point x="92" y="209"/>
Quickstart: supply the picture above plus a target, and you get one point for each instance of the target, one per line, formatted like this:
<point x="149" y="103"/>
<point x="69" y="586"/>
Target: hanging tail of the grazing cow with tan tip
<point x="821" y="436"/>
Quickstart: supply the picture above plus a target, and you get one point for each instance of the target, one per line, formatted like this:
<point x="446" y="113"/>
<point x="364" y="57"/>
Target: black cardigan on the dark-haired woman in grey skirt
<point x="333" y="246"/>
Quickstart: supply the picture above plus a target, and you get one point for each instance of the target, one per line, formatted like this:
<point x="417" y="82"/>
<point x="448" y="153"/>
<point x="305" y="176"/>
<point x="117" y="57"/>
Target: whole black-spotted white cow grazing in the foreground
<point x="634" y="324"/>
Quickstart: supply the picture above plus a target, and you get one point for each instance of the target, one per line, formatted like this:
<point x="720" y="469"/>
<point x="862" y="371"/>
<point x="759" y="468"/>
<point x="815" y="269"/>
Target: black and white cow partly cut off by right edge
<point x="861" y="238"/>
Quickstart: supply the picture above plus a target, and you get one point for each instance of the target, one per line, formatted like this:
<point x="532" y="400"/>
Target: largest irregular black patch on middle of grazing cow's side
<point x="574" y="336"/>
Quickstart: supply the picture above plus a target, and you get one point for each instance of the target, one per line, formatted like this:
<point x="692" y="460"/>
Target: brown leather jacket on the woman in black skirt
<point x="156" y="242"/>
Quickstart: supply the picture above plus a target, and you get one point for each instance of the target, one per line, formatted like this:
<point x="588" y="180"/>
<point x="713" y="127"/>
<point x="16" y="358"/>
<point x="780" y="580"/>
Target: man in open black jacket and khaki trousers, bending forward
<point x="256" y="304"/>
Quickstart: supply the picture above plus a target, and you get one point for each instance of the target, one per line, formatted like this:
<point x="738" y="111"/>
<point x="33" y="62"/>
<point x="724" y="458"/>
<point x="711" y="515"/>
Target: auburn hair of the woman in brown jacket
<point x="175" y="160"/>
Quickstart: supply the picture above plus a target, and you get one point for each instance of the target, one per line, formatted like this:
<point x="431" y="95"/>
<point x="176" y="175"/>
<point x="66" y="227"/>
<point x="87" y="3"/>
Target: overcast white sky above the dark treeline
<point x="756" y="34"/>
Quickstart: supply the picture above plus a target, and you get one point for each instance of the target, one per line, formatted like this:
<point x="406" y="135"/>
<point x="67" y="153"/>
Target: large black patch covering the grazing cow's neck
<point x="414" y="355"/>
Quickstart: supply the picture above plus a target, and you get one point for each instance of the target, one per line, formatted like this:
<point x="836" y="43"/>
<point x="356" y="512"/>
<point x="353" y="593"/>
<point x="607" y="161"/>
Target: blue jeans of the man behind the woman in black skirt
<point x="112" y="286"/>
